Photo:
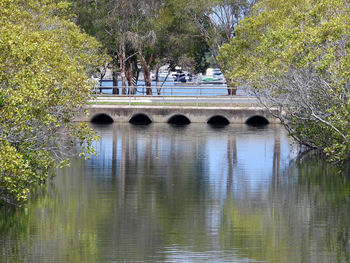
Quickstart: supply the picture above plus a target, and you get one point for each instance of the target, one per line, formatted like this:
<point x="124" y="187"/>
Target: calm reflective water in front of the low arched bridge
<point x="195" y="193"/>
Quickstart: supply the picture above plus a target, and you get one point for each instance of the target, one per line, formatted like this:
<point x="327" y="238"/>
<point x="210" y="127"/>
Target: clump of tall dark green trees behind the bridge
<point x="155" y="32"/>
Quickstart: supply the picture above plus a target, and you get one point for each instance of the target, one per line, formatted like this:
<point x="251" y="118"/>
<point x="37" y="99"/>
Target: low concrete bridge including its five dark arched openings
<point x="176" y="114"/>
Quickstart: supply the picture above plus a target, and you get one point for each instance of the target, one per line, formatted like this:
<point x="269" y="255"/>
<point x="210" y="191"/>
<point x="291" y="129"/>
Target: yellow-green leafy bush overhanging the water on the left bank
<point x="45" y="62"/>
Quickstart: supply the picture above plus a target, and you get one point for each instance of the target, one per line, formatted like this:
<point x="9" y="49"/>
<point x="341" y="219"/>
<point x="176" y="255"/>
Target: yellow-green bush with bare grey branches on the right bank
<point x="294" y="55"/>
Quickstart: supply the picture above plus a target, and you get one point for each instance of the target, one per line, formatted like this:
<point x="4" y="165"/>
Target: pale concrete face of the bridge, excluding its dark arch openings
<point x="160" y="114"/>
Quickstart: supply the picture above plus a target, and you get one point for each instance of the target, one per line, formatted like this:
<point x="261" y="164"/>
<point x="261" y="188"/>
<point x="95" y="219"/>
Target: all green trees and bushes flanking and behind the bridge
<point x="294" y="54"/>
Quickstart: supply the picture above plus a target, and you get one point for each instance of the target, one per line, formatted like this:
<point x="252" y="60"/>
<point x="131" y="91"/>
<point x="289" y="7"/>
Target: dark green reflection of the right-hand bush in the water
<point x="328" y="192"/>
